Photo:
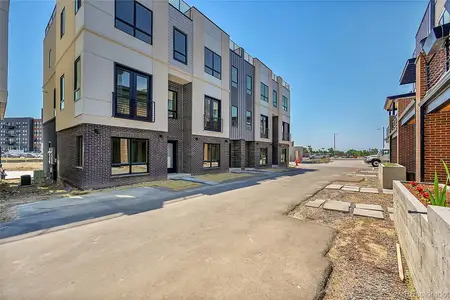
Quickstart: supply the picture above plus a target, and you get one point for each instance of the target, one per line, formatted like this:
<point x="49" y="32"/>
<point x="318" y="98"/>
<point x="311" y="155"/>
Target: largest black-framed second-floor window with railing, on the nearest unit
<point x="133" y="95"/>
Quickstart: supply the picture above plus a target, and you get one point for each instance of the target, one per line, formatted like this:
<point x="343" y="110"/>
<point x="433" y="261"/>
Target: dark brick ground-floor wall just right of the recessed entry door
<point x="197" y="154"/>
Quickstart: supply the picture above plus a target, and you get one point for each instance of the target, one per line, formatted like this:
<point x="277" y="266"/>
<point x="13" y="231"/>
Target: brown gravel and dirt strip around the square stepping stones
<point x="364" y="251"/>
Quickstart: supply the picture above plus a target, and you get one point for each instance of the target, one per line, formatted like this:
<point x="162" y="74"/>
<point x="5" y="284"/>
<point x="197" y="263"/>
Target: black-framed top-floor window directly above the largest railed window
<point x="135" y="19"/>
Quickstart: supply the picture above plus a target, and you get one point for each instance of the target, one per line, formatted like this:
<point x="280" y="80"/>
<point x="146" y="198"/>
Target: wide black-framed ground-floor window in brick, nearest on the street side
<point x="129" y="156"/>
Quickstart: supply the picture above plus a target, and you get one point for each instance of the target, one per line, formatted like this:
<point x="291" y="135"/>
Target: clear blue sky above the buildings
<point x="341" y="58"/>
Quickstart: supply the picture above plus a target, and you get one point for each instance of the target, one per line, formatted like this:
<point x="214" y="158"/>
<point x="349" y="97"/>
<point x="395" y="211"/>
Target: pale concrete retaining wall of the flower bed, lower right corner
<point x="425" y="243"/>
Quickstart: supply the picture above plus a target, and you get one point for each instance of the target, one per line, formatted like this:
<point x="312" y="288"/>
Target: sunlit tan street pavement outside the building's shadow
<point x="235" y="244"/>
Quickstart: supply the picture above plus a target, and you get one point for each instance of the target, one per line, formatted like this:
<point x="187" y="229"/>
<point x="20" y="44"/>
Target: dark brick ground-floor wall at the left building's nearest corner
<point x="96" y="170"/>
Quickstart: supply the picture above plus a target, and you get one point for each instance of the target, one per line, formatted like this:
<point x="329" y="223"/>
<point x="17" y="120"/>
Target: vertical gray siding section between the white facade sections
<point x="241" y="99"/>
